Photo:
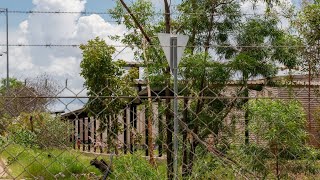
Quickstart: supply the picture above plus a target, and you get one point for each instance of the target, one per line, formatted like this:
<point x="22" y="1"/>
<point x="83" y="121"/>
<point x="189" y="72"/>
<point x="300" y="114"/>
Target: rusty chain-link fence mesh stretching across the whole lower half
<point x="232" y="131"/>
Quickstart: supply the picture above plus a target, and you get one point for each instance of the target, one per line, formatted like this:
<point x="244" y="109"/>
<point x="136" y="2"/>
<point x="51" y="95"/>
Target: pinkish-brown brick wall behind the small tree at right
<point x="300" y="93"/>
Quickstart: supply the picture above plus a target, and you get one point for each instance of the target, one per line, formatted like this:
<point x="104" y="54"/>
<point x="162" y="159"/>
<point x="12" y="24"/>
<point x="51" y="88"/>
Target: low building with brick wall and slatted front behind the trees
<point x="134" y="121"/>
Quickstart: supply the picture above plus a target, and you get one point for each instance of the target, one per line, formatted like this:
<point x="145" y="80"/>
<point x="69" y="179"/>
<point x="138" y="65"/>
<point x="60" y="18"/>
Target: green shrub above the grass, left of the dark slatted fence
<point x="40" y="130"/>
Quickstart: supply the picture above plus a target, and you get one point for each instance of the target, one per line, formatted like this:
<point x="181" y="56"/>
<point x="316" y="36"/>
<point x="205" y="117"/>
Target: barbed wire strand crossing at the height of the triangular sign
<point x="123" y="46"/>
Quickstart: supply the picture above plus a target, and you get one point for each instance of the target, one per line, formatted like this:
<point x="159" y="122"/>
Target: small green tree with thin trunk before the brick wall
<point x="281" y="125"/>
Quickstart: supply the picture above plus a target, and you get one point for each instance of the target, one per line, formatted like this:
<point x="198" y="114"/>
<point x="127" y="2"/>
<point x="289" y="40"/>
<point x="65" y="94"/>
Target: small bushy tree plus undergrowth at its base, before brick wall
<point x="279" y="128"/>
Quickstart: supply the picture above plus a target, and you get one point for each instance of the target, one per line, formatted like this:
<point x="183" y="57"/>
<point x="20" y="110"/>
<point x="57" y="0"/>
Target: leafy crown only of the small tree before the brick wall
<point x="279" y="123"/>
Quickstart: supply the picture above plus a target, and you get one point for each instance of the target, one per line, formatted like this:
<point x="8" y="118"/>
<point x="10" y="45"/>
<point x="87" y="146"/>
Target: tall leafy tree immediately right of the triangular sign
<point x="198" y="20"/>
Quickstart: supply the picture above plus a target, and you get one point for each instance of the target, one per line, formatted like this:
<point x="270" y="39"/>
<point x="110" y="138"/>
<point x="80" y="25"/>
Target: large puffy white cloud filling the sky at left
<point x="60" y="62"/>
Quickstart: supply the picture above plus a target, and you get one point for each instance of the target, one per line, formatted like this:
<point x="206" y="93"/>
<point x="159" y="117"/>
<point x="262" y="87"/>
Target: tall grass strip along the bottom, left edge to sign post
<point x="70" y="164"/>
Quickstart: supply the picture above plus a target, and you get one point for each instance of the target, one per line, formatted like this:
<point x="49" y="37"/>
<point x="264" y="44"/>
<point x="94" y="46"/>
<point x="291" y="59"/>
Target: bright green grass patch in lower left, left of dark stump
<point x="21" y="161"/>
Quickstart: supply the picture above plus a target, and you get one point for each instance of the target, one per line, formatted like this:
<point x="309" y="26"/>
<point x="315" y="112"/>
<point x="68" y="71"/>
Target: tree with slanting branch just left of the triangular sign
<point x="157" y="67"/>
